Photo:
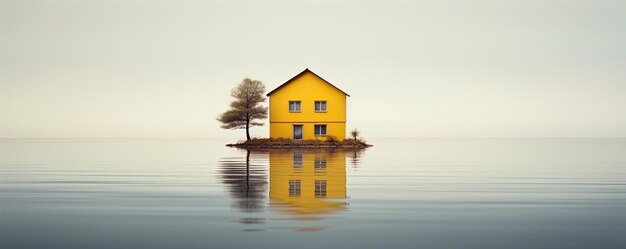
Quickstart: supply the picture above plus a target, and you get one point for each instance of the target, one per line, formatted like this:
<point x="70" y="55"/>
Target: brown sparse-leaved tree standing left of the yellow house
<point x="246" y="108"/>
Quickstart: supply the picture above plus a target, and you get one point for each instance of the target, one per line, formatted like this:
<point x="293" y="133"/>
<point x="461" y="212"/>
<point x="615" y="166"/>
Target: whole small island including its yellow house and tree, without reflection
<point x="304" y="112"/>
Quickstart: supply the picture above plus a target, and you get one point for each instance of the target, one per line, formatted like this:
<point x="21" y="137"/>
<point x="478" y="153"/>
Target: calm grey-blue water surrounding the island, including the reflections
<point x="402" y="193"/>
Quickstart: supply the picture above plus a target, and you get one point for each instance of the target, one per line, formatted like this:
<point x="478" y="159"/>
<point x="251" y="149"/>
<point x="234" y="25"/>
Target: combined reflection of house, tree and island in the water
<point x="304" y="185"/>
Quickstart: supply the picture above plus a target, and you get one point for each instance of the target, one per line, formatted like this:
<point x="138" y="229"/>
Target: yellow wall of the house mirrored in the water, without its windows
<point x="282" y="170"/>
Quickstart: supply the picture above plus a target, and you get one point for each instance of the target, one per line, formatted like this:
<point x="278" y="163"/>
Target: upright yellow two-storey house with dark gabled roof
<point x="307" y="107"/>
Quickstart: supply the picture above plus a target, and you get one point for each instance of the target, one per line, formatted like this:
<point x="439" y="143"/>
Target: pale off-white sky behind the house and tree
<point x="413" y="68"/>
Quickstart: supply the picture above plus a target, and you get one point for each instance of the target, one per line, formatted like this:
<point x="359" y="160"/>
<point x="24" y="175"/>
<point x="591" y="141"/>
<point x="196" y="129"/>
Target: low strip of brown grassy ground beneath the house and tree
<point x="330" y="142"/>
